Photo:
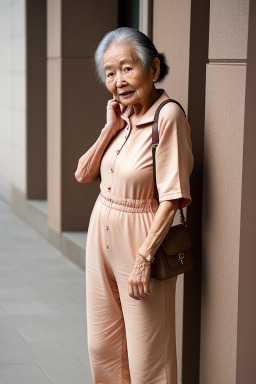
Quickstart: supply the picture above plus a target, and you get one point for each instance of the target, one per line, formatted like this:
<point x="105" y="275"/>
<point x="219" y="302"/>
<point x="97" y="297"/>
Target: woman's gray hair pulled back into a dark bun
<point x="144" y="47"/>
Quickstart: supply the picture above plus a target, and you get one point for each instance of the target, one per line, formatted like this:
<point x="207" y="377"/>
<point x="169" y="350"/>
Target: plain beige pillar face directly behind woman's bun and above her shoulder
<point x="171" y="35"/>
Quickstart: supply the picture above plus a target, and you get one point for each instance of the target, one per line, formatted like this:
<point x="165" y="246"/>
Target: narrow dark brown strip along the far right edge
<point x="246" y="335"/>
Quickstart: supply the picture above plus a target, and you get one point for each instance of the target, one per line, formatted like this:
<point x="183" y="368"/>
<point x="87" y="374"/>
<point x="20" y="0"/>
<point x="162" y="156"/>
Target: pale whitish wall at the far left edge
<point x="12" y="93"/>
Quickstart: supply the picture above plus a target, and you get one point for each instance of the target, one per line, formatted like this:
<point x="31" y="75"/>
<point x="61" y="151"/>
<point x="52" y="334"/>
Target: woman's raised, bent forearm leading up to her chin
<point x="88" y="168"/>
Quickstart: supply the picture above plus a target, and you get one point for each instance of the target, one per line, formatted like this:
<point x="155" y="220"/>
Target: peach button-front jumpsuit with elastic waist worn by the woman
<point x="128" y="339"/>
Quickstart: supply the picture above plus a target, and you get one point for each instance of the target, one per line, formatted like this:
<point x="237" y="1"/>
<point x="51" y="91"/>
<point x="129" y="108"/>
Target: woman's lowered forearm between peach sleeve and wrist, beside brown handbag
<point x="159" y="228"/>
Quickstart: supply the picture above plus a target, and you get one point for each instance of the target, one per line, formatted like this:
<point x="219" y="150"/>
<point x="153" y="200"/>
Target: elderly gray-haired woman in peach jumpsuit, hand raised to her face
<point x="130" y="315"/>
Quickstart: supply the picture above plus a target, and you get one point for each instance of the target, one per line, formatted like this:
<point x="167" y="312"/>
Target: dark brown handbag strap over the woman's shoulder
<point x="155" y="141"/>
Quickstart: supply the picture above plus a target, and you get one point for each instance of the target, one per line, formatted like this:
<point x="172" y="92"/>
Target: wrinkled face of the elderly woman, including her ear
<point x="124" y="73"/>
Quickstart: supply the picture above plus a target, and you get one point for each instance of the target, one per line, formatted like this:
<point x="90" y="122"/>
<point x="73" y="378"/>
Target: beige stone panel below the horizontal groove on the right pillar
<point x="225" y="98"/>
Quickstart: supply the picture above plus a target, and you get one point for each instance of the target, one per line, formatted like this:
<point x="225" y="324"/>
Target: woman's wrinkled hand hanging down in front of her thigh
<point x="138" y="281"/>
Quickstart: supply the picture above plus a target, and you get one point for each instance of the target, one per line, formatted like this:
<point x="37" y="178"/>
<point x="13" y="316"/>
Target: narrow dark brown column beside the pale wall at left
<point x="36" y="184"/>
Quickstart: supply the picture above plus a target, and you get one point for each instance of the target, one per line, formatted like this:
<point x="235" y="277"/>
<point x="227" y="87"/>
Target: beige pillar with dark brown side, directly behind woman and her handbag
<point x="186" y="48"/>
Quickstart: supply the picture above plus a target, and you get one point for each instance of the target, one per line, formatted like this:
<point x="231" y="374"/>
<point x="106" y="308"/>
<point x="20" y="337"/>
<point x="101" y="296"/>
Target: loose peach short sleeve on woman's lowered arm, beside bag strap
<point x="174" y="157"/>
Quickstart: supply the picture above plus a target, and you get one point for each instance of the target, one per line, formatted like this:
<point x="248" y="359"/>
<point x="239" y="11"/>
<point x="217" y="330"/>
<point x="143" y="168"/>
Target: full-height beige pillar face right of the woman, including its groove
<point x="224" y="233"/>
